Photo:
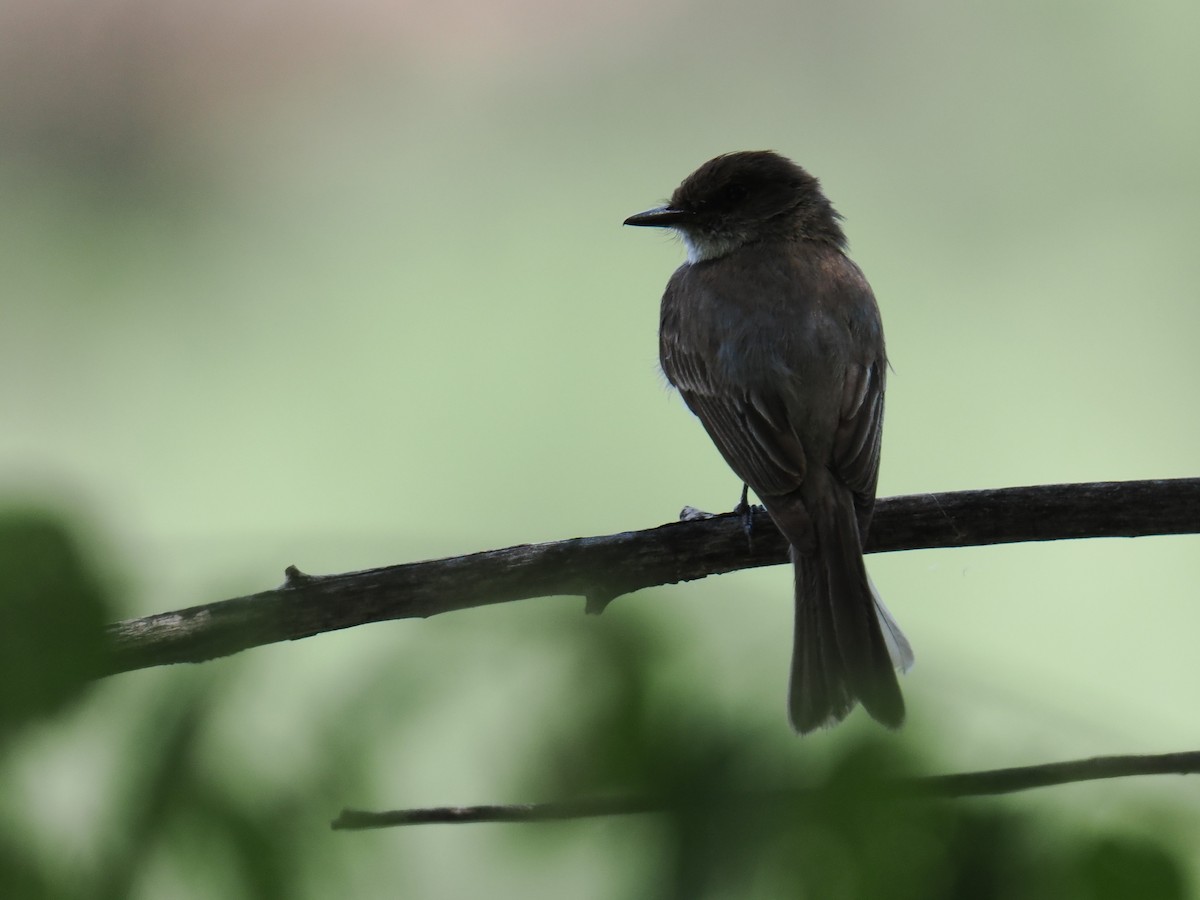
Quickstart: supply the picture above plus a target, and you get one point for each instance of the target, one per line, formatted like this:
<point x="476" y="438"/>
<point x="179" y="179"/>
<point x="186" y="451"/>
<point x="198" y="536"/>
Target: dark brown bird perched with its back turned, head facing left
<point x="773" y="338"/>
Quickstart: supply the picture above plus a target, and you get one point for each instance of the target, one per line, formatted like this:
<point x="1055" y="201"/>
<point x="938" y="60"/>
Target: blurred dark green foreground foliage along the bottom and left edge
<point x="742" y="817"/>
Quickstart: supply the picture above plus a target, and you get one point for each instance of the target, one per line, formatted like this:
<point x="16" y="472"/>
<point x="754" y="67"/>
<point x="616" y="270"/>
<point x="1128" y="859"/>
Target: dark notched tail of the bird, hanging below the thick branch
<point x="848" y="646"/>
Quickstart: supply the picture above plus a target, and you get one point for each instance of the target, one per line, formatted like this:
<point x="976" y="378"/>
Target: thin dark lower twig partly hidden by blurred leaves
<point x="969" y="784"/>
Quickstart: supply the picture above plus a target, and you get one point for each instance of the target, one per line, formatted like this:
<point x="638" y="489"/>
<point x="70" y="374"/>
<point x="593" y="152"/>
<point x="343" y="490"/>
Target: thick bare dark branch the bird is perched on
<point x="608" y="567"/>
